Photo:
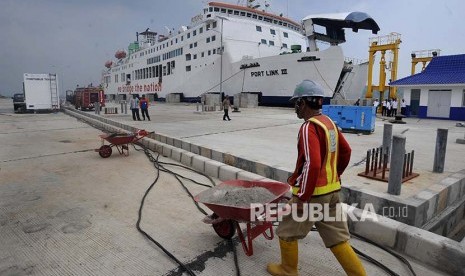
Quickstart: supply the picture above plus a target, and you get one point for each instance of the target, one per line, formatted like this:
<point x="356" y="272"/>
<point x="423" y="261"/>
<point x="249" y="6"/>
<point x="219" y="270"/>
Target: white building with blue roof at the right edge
<point x="439" y="91"/>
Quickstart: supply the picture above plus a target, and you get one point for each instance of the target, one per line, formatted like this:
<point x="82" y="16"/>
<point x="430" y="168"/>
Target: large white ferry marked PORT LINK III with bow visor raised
<point x="230" y="49"/>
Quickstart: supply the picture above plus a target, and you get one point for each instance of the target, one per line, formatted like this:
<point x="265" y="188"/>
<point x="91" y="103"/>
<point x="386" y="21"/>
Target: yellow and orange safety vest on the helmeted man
<point x="328" y="180"/>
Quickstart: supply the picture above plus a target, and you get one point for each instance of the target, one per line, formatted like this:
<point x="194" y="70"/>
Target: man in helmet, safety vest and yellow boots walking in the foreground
<point x="323" y="155"/>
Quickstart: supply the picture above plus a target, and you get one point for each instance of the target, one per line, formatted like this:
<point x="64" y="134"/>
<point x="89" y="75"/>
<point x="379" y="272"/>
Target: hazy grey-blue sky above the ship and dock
<point x="74" y="38"/>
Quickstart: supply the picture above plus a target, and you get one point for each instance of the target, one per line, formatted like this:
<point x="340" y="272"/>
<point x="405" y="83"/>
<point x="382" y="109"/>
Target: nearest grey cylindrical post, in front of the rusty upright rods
<point x="397" y="165"/>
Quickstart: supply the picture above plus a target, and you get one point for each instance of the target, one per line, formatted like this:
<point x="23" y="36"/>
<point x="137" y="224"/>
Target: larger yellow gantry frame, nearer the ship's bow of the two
<point x="382" y="44"/>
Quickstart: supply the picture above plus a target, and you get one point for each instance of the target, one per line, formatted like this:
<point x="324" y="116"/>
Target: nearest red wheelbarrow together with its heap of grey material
<point x="236" y="201"/>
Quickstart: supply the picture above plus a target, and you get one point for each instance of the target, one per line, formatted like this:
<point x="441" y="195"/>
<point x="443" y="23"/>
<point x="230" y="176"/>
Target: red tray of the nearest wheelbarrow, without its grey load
<point x="242" y="214"/>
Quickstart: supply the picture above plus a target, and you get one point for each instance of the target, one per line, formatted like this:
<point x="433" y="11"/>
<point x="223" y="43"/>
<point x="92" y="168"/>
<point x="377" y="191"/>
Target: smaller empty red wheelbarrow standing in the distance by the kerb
<point x="121" y="141"/>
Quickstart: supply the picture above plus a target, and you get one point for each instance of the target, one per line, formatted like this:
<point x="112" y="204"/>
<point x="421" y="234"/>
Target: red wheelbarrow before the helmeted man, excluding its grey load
<point x="226" y="217"/>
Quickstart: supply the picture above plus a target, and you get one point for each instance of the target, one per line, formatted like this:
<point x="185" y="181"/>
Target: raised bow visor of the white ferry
<point x="335" y="25"/>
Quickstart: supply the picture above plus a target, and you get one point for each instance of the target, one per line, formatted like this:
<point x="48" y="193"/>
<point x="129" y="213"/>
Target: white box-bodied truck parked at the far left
<point x="41" y="92"/>
